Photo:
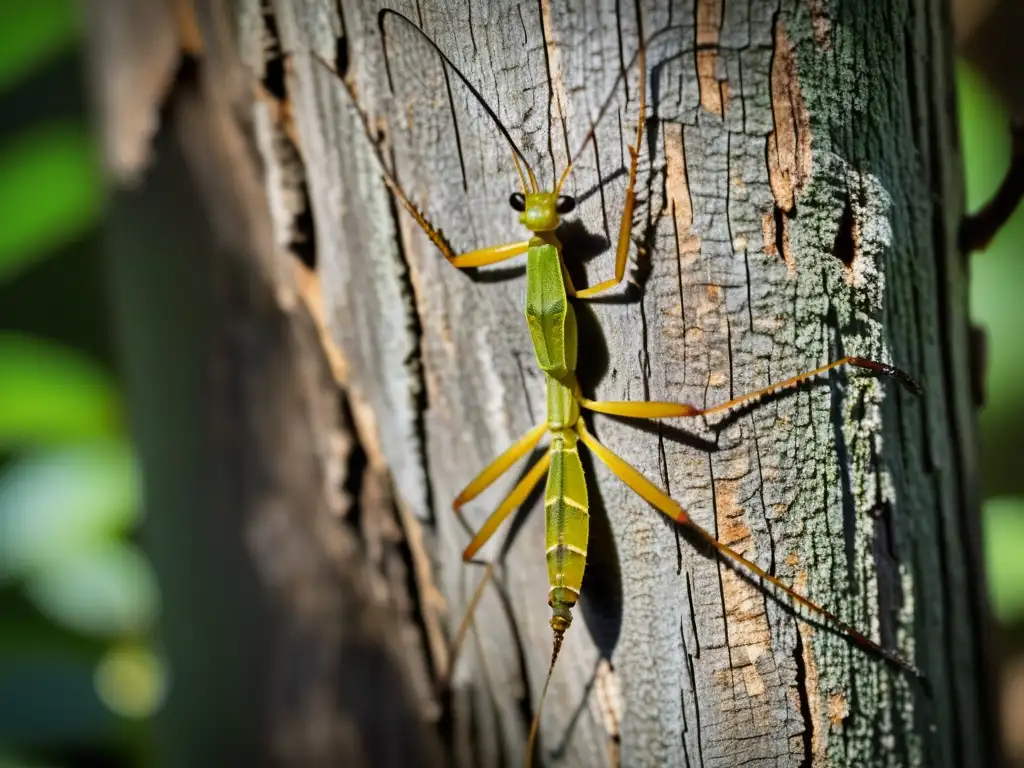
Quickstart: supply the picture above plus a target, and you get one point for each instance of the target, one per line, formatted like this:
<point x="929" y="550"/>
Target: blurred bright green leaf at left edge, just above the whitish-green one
<point x="52" y="395"/>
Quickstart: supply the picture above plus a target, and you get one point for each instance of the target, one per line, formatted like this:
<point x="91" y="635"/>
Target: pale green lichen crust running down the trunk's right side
<point x="848" y="302"/>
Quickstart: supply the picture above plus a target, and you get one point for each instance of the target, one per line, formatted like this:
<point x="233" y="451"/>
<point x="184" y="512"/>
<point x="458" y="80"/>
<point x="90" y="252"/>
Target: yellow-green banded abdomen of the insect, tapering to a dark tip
<point x="568" y="523"/>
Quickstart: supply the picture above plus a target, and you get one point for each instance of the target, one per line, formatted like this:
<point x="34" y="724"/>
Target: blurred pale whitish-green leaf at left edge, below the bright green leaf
<point x="62" y="503"/>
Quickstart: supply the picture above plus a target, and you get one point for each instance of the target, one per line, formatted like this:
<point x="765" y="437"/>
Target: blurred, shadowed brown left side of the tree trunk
<point x="287" y="615"/>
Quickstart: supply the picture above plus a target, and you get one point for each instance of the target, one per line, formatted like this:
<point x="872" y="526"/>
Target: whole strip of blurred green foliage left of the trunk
<point x="78" y="600"/>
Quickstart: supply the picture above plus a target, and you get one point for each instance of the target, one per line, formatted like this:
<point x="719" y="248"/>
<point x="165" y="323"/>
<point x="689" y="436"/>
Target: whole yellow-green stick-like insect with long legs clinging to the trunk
<point x="552" y="326"/>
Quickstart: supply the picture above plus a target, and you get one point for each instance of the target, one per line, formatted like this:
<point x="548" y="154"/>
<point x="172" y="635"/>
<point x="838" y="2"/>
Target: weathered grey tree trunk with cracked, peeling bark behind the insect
<point x="798" y="198"/>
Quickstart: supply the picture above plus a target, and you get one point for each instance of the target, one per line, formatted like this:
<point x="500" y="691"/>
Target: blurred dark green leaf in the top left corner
<point x="32" y="34"/>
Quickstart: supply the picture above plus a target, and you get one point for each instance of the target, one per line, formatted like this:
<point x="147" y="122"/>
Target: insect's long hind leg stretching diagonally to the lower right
<point x="668" y="506"/>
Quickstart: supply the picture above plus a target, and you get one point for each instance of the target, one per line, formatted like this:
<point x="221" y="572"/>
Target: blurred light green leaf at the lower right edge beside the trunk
<point x="1004" y="537"/>
